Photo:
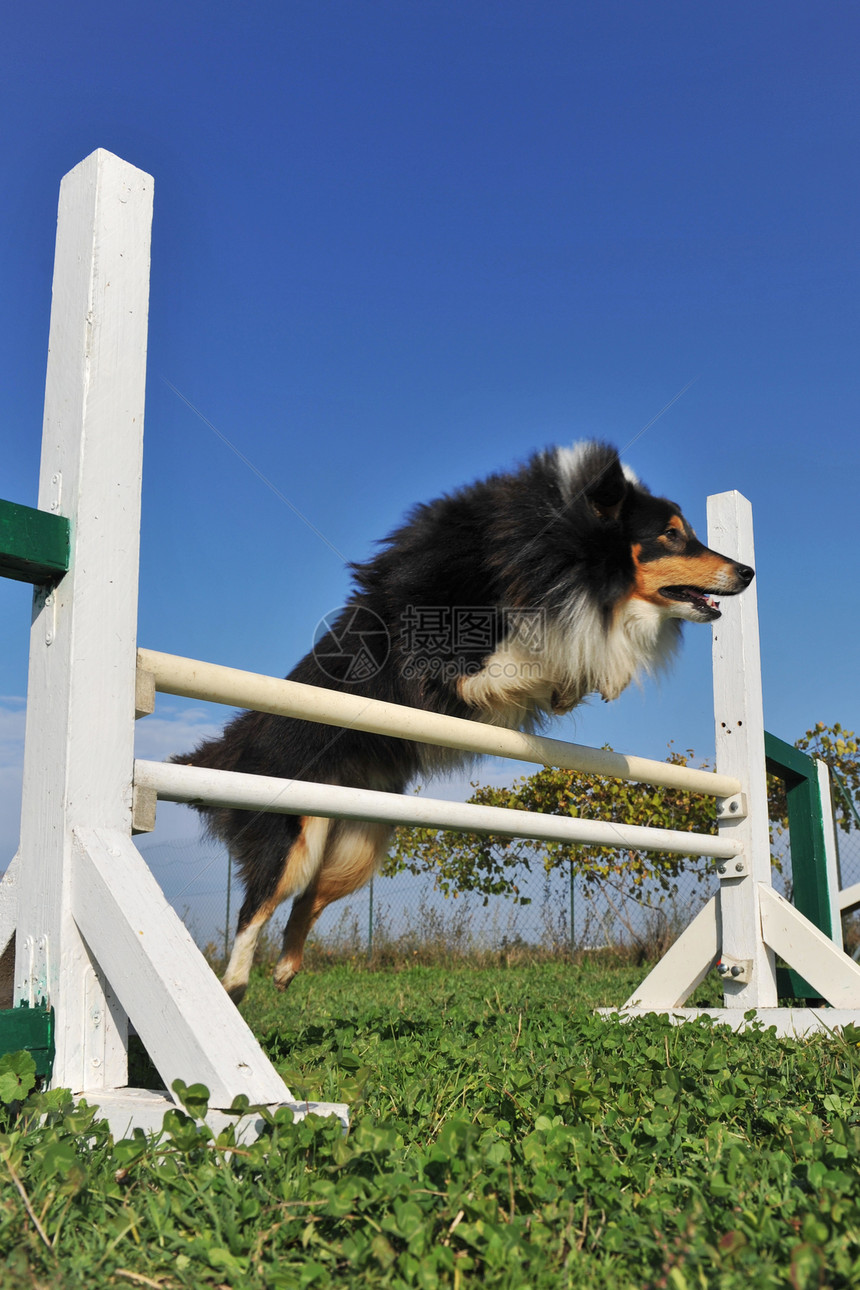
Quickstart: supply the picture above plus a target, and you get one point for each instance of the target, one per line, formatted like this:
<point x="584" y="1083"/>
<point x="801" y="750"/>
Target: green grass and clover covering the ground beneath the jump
<point x="501" y="1136"/>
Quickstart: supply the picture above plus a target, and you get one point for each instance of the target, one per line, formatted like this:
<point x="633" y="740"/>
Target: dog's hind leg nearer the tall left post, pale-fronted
<point x="298" y="871"/>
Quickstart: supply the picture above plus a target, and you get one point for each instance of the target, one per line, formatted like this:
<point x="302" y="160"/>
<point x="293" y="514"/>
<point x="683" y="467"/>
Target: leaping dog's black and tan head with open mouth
<point x="672" y="570"/>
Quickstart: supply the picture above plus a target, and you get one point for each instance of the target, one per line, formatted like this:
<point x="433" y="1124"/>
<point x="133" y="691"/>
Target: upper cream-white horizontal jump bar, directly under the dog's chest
<point x="195" y="680"/>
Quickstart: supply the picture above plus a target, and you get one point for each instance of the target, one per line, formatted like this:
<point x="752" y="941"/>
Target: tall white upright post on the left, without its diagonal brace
<point x="79" y="742"/>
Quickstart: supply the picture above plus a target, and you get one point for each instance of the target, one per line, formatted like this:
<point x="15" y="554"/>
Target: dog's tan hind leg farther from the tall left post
<point x="355" y="851"/>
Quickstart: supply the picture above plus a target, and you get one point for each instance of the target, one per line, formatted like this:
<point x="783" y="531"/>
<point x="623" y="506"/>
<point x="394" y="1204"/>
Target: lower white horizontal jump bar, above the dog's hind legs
<point x="199" y="786"/>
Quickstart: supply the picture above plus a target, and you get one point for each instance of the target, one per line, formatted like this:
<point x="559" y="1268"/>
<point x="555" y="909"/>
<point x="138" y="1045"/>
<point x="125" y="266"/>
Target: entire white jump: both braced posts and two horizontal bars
<point x="95" y="936"/>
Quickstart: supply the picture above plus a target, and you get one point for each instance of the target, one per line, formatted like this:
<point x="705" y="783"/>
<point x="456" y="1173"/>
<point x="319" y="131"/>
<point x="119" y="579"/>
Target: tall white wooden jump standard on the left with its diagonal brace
<point x="96" y="937"/>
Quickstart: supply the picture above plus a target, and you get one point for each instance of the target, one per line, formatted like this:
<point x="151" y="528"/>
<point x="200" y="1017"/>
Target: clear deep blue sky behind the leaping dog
<point x="399" y="246"/>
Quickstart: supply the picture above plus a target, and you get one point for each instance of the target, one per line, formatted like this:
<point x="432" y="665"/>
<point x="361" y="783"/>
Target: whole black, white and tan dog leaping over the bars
<point x="507" y="602"/>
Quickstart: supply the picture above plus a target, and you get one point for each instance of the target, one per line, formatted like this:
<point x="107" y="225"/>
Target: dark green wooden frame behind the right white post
<point x="806" y="835"/>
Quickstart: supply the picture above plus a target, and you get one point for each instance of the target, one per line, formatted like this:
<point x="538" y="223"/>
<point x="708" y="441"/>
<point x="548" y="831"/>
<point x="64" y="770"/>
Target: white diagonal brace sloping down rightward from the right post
<point x="809" y="951"/>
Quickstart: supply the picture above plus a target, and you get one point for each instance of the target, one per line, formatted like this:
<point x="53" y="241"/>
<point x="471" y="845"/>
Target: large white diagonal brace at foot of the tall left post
<point x="184" y="1016"/>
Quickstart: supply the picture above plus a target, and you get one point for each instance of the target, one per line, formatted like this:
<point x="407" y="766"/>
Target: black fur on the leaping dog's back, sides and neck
<point x="555" y="539"/>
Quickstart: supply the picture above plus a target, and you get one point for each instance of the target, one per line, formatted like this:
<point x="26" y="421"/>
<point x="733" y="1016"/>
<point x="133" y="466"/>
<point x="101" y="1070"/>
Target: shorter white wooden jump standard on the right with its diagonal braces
<point x="747" y="924"/>
